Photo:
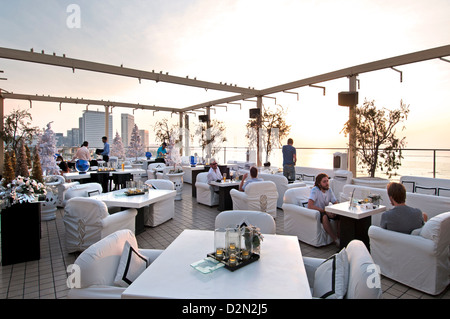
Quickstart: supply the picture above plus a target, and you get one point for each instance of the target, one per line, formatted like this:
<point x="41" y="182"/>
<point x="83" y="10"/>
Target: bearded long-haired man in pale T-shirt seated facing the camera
<point x="321" y="195"/>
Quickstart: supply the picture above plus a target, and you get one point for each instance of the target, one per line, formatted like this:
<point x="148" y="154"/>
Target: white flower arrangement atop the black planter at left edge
<point x="20" y="190"/>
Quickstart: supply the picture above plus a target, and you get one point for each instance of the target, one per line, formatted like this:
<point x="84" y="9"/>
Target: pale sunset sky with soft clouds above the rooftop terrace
<point x="251" y="43"/>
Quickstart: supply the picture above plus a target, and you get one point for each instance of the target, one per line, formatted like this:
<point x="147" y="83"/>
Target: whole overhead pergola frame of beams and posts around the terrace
<point x="241" y="93"/>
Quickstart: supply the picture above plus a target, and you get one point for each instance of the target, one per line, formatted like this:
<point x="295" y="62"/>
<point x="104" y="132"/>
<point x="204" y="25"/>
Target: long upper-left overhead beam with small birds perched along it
<point x="76" y="64"/>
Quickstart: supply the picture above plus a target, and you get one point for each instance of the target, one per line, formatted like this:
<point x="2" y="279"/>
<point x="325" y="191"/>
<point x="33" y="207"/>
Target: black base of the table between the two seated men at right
<point x="354" y="229"/>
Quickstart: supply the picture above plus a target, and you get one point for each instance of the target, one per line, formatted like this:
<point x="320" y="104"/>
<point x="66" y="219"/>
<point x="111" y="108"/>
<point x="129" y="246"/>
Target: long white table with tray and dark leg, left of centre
<point x="140" y="202"/>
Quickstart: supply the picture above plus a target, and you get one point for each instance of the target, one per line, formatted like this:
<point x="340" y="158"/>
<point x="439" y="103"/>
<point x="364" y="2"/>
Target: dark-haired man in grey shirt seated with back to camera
<point x="401" y="218"/>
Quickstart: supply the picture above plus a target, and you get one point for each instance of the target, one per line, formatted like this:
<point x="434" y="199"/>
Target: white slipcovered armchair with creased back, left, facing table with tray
<point x="87" y="221"/>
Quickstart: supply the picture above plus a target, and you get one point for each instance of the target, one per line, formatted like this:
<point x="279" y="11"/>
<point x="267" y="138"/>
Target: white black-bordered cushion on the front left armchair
<point x="131" y="265"/>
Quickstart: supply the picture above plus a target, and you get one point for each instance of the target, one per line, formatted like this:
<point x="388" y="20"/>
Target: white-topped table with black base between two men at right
<point x="354" y="221"/>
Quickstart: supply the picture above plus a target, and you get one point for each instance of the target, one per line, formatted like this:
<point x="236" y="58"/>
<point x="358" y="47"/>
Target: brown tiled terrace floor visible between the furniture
<point x="46" y="278"/>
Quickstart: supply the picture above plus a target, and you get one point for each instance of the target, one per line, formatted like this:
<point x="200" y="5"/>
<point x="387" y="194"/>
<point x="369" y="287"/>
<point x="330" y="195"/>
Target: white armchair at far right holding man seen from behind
<point x="420" y="260"/>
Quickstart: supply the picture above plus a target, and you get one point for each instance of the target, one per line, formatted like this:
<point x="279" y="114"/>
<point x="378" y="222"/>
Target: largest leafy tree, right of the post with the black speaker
<point x="376" y="129"/>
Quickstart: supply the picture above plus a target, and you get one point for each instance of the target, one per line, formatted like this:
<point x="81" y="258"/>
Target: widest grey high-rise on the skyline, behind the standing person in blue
<point x="93" y="128"/>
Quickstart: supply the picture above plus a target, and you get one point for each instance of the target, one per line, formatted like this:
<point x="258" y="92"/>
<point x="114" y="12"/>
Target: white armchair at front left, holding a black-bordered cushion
<point x="100" y="264"/>
